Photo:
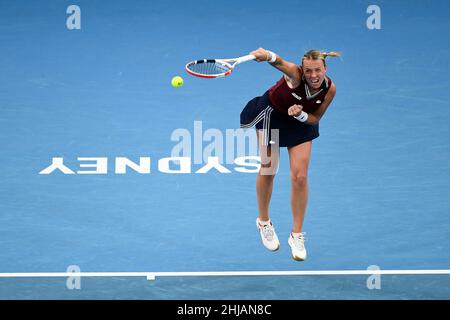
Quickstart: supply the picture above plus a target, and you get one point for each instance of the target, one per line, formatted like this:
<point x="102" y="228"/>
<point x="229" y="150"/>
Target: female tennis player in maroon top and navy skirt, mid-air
<point x="288" y="115"/>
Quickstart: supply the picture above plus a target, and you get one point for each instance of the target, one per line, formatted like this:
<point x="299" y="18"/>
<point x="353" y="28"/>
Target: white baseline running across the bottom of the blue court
<point x="153" y="275"/>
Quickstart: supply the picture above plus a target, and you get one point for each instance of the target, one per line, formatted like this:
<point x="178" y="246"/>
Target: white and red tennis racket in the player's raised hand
<point x="215" y="68"/>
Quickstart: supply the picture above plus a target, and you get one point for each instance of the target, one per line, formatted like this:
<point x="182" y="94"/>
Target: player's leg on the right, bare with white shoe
<point x="299" y="157"/>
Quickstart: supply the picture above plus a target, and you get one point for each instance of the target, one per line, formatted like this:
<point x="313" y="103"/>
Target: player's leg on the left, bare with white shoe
<point x="264" y="186"/>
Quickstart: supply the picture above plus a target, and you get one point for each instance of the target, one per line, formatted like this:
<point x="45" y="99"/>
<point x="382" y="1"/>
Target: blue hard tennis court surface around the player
<point x="100" y="95"/>
